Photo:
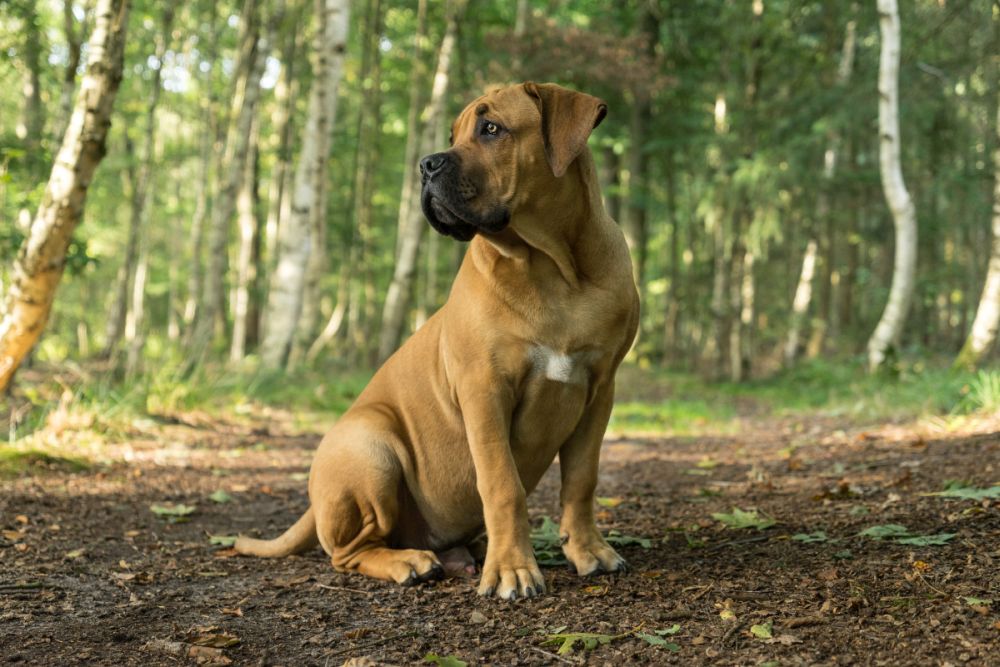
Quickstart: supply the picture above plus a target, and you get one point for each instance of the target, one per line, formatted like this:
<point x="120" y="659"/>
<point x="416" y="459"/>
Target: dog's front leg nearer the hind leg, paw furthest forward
<point x="510" y="570"/>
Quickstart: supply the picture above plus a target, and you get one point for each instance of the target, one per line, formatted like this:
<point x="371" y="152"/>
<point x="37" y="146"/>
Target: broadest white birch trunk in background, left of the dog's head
<point x="296" y="235"/>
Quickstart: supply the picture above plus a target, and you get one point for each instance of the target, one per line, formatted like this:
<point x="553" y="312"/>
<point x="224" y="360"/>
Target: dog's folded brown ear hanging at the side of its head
<point x="567" y="120"/>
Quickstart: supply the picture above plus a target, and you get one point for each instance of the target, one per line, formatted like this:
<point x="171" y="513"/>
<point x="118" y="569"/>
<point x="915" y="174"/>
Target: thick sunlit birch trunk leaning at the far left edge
<point x="40" y="261"/>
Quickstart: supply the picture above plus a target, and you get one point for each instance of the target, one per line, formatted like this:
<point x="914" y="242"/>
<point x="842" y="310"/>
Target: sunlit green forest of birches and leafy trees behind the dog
<point x="255" y="212"/>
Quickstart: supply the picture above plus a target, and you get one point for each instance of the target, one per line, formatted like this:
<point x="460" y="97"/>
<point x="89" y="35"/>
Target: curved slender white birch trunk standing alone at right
<point x="890" y="326"/>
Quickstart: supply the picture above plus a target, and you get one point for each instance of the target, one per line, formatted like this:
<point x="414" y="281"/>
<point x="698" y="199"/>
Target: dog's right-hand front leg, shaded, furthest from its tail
<point x="583" y="544"/>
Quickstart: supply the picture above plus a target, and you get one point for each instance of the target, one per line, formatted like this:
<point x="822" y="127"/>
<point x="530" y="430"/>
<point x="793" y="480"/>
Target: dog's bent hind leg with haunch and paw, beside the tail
<point x="355" y="489"/>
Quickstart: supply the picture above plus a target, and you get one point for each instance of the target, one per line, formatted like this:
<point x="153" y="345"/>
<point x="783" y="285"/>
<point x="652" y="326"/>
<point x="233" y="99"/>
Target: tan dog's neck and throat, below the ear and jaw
<point x="568" y="232"/>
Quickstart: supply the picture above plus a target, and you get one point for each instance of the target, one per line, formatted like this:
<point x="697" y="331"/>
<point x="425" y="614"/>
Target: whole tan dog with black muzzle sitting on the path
<point x="458" y="426"/>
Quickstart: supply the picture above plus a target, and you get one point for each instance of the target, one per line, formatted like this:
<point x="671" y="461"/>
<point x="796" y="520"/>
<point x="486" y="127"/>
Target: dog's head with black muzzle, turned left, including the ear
<point x="507" y="148"/>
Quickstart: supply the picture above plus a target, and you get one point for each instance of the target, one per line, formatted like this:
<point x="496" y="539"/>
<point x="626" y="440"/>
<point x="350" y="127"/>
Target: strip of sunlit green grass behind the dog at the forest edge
<point x="648" y="400"/>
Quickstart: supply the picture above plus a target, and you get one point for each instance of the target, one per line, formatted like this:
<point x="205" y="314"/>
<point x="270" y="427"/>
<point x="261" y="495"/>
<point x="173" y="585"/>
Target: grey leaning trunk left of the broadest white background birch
<point x="253" y="53"/>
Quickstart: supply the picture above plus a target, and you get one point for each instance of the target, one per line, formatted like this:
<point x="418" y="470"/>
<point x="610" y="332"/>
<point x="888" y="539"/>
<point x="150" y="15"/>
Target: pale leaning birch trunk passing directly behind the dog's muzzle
<point x="410" y="222"/>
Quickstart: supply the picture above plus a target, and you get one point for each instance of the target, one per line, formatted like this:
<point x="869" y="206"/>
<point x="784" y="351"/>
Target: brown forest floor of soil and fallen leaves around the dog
<point x="100" y="565"/>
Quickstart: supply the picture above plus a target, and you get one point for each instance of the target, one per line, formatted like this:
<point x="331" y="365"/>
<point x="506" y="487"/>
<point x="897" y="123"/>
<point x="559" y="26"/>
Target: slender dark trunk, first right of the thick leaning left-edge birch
<point x="140" y="186"/>
